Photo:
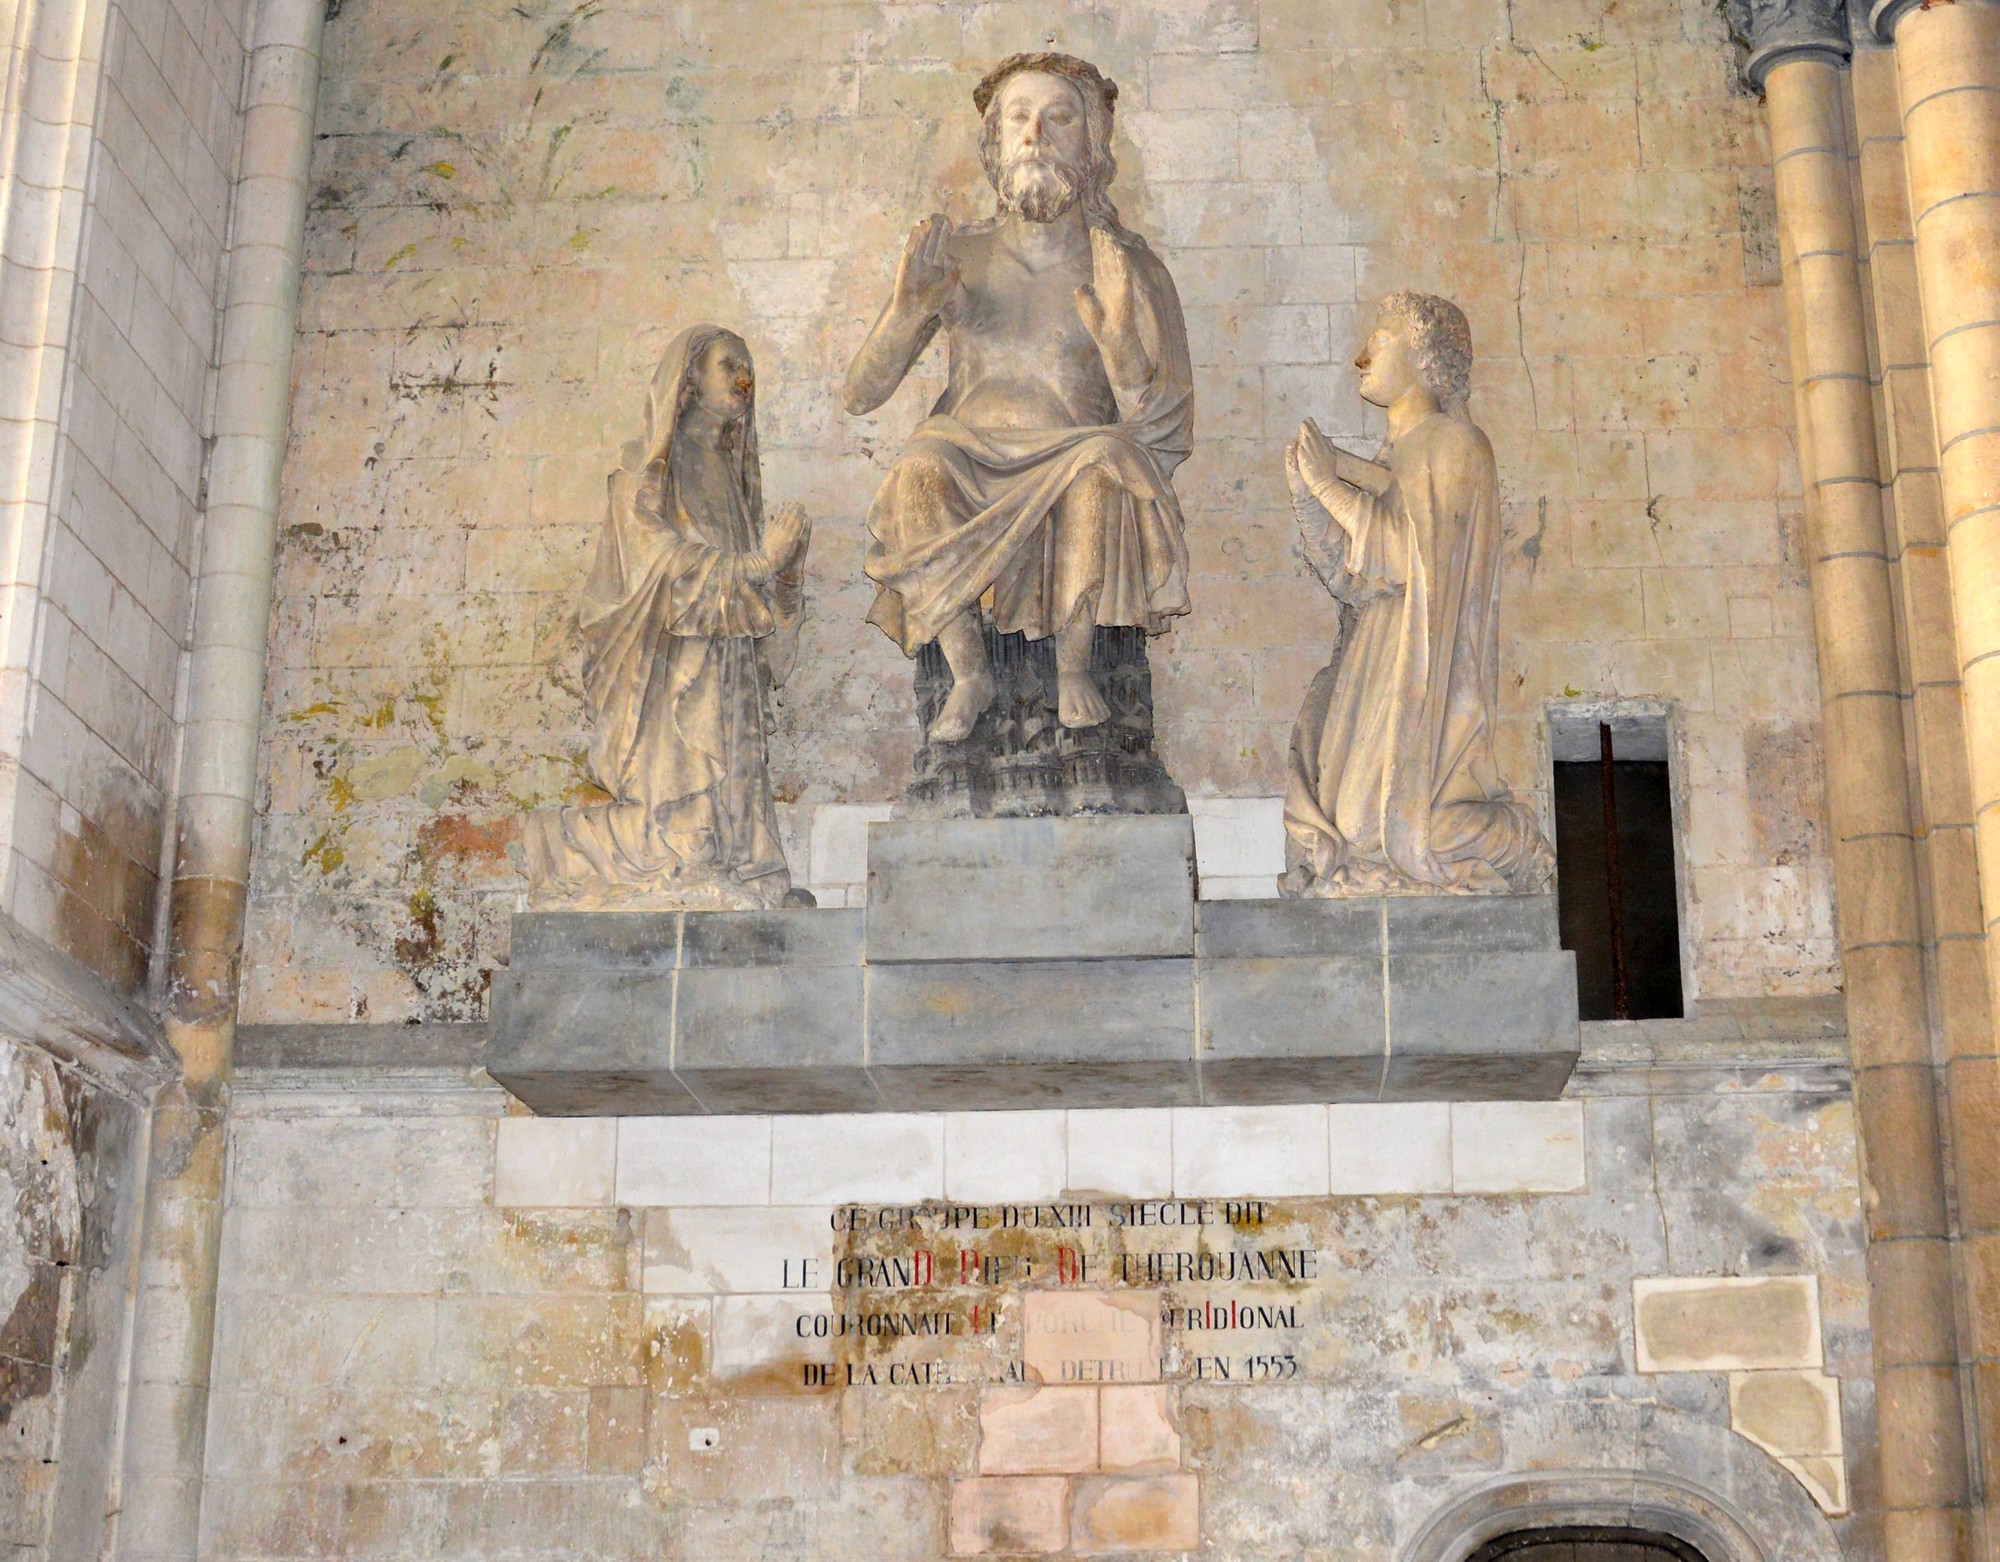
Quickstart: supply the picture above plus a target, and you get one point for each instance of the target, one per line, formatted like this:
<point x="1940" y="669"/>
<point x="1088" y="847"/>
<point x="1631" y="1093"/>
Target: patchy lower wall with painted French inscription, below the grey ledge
<point x="445" y="1329"/>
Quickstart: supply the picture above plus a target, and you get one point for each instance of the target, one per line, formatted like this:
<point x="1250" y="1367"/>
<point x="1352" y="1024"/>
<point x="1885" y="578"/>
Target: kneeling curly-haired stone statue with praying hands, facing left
<point x="1393" y="785"/>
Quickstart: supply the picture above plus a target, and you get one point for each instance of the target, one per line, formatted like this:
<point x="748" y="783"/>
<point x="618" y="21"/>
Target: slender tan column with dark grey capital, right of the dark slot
<point x="1797" y="59"/>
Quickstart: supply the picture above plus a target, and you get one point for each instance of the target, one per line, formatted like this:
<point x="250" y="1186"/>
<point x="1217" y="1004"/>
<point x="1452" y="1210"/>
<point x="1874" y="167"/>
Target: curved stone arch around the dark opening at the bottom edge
<point x="1661" y="1509"/>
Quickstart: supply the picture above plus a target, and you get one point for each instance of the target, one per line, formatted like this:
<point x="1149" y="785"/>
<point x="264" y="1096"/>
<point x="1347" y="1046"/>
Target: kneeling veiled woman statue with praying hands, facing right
<point x="691" y="619"/>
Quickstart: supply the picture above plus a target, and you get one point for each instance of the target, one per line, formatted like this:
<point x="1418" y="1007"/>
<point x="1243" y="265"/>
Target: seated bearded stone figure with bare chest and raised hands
<point x="1039" y="487"/>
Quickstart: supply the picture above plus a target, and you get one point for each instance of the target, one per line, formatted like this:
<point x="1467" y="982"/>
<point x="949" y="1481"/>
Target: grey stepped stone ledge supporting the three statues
<point x="1081" y="997"/>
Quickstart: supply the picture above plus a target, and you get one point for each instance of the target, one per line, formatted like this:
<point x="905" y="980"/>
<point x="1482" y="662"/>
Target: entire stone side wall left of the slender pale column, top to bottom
<point x="121" y="149"/>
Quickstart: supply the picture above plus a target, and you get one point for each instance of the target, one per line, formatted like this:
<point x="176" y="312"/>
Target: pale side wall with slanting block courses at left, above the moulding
<point x="95" y="763"/>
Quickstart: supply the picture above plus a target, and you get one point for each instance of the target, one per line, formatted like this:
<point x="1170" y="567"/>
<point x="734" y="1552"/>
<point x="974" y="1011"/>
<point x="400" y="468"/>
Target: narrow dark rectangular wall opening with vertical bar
<point x="1615" y="861"/>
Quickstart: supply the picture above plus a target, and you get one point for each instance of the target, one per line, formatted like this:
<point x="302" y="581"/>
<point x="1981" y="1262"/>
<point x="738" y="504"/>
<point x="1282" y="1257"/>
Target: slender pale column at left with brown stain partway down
<point x="167" y="1417"/>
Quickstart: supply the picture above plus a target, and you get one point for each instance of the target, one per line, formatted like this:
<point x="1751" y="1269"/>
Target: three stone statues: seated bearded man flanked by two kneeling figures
<point x="1025" y="545"/>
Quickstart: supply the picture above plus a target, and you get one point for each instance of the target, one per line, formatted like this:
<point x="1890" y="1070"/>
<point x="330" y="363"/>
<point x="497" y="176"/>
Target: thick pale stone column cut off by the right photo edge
<point x="1949" y="77"/>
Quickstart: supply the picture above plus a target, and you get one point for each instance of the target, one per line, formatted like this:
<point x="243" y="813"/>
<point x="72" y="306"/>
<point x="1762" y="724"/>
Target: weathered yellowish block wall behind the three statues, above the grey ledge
<point x="515" y="213"/>
